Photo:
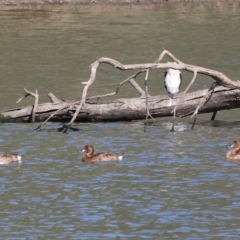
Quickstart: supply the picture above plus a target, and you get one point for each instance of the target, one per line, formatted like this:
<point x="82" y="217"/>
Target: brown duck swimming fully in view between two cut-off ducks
<point x="90" y="157"/>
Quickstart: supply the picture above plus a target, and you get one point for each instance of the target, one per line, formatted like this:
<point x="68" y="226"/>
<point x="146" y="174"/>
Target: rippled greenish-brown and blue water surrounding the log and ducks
<point x="168" y="185"/>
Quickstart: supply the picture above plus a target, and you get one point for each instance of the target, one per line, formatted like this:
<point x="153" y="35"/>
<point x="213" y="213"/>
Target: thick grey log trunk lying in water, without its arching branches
<point x="222" y="98"/>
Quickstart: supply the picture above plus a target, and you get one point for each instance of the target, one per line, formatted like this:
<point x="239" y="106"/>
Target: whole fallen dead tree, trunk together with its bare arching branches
<point x="222" y="94"/>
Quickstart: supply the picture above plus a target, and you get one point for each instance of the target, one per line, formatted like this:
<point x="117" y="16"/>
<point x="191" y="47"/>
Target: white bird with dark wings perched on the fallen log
<point x="172" y="81"/>
